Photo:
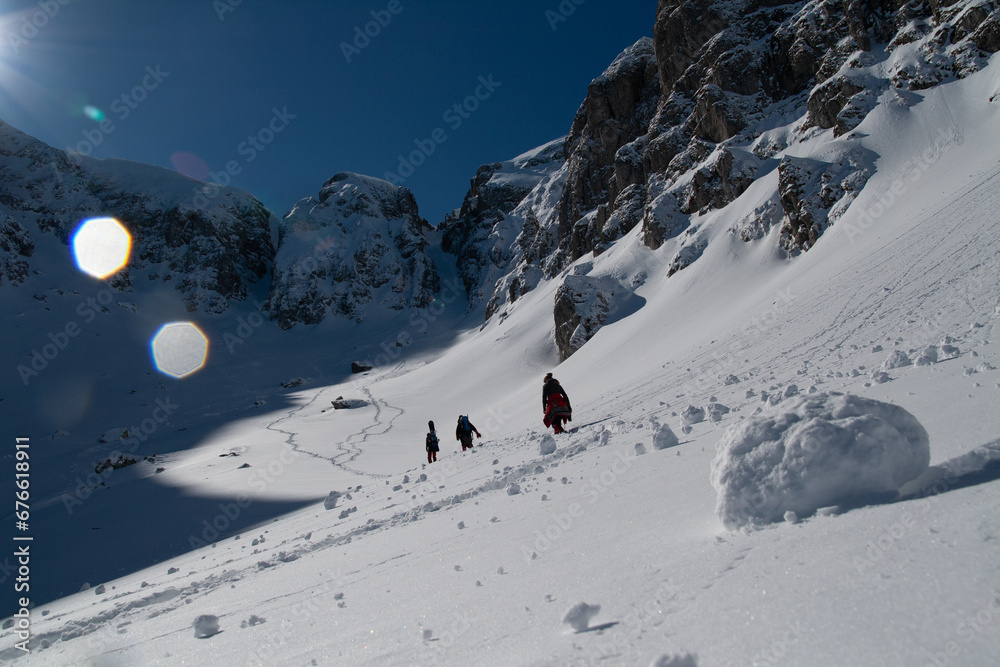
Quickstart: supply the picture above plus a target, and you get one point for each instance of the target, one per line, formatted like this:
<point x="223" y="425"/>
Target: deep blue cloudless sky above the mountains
<point x="221" y="78"/>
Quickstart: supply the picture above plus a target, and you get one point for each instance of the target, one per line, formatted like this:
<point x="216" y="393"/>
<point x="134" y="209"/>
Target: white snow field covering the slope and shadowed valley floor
<point x="478" y="558"/>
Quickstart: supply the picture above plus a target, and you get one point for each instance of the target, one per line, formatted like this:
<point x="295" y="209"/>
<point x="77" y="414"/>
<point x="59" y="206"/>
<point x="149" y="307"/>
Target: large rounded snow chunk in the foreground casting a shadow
<point x="814" y="451"/>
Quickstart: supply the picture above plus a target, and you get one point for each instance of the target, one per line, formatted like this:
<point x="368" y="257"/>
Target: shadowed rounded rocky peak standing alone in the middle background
<point x="359" y="243"/>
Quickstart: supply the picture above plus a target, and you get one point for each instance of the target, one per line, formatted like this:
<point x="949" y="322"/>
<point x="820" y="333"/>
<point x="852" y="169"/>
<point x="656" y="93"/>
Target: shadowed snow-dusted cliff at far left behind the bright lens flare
<point x="212" y="247"/>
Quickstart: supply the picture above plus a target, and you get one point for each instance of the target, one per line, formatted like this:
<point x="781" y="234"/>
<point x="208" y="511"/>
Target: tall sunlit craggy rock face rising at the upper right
<point x="683" y="124"/>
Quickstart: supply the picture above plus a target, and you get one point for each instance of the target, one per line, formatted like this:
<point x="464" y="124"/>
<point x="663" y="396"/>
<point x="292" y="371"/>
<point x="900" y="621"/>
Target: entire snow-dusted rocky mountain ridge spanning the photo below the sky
<point x="725" y="96"/>
